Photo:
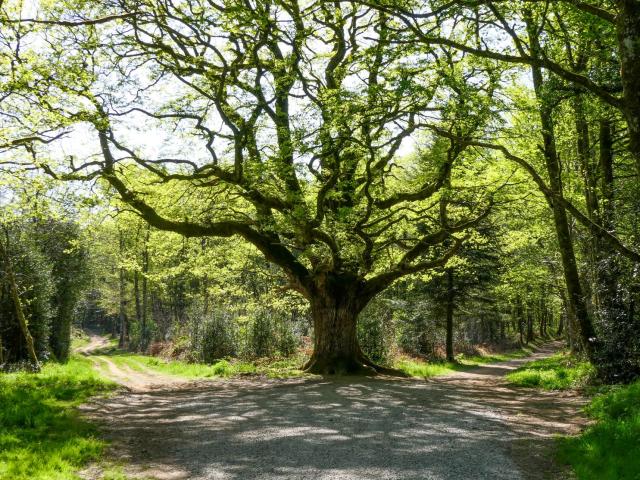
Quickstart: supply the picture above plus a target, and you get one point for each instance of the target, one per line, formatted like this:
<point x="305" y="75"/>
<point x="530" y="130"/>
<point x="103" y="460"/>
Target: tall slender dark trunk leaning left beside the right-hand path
<point x="571" y="275"/>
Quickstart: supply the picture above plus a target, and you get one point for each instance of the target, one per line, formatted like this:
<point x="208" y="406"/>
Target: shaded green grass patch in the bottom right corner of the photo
<point x="610" y="448"/>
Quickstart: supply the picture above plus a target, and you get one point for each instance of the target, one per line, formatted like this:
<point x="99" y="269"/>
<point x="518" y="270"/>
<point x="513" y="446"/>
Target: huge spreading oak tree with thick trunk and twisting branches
<point x="289" y="126"/>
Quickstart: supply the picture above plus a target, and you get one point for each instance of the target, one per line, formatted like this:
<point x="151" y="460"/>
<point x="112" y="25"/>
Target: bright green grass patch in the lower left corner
<point x="41" y="434"/>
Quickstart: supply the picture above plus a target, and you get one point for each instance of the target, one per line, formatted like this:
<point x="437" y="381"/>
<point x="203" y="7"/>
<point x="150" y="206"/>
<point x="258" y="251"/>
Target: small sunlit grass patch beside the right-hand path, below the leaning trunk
<point x="558" y="372"/>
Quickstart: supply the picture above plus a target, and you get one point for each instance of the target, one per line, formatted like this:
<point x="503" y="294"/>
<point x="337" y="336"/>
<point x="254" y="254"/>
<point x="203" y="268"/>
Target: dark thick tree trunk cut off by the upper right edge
<point x="628" y="30"/>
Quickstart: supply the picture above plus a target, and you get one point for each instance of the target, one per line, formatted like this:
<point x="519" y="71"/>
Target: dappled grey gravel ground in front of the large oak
<point x="468" y="425"/>
